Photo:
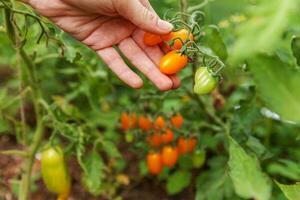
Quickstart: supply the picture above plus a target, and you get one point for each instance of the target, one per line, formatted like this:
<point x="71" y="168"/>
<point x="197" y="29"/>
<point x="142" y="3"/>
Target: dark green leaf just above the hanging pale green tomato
<point x="214" y="40"/>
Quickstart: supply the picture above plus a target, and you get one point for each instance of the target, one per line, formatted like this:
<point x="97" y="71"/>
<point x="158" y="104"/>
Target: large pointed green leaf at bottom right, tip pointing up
<point x="248" y="179"/>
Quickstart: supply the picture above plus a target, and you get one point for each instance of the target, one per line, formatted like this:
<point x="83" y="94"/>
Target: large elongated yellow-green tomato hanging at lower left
<point x="54" y="171"/>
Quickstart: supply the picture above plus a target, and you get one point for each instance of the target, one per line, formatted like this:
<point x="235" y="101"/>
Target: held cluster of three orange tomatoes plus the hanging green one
<point x="176" y="45"/>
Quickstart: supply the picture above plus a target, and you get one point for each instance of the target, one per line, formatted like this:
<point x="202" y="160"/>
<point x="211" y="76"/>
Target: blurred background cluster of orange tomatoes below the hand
<point x="164" y="148"/>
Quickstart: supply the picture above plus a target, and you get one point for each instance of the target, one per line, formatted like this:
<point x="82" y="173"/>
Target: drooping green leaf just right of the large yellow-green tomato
<point x="92" y="179"/>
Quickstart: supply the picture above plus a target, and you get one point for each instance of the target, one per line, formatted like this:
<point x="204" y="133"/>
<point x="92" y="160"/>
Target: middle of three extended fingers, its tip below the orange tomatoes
<point x="139" y="59"/>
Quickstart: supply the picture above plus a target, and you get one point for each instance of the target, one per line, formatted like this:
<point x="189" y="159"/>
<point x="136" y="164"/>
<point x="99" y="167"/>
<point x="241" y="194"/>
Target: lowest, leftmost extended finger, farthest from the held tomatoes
<point x="114" y="61"/>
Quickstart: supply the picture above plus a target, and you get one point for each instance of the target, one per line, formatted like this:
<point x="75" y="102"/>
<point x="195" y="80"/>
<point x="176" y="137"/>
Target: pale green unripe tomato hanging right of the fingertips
<point x="205" y="82"/>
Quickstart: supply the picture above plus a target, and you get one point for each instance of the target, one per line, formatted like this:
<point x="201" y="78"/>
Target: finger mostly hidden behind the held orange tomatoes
<point x="154" y="53"/>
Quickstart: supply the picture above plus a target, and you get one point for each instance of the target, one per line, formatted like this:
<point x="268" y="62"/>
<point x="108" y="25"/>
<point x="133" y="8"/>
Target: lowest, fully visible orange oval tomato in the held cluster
<point x="172" y="62"/>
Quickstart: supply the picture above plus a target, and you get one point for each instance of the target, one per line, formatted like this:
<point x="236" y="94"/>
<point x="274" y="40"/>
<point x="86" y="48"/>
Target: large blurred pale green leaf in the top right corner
<point x="268" y="20"/>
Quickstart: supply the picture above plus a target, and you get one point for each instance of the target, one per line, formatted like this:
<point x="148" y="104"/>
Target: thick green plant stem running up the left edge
<point x="29" y="68"/>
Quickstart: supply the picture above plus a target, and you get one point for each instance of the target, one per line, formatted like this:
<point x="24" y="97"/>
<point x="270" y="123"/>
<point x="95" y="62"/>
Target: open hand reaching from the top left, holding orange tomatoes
<point x="100" y="24"/>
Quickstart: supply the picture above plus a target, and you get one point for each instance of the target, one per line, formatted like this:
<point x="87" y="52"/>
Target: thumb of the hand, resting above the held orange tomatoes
<point x="144" y="18"/>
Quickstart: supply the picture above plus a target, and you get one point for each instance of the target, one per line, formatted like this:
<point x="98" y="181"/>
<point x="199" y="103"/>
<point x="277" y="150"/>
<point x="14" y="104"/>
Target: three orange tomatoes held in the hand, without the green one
<point x="173" y="45"/>
